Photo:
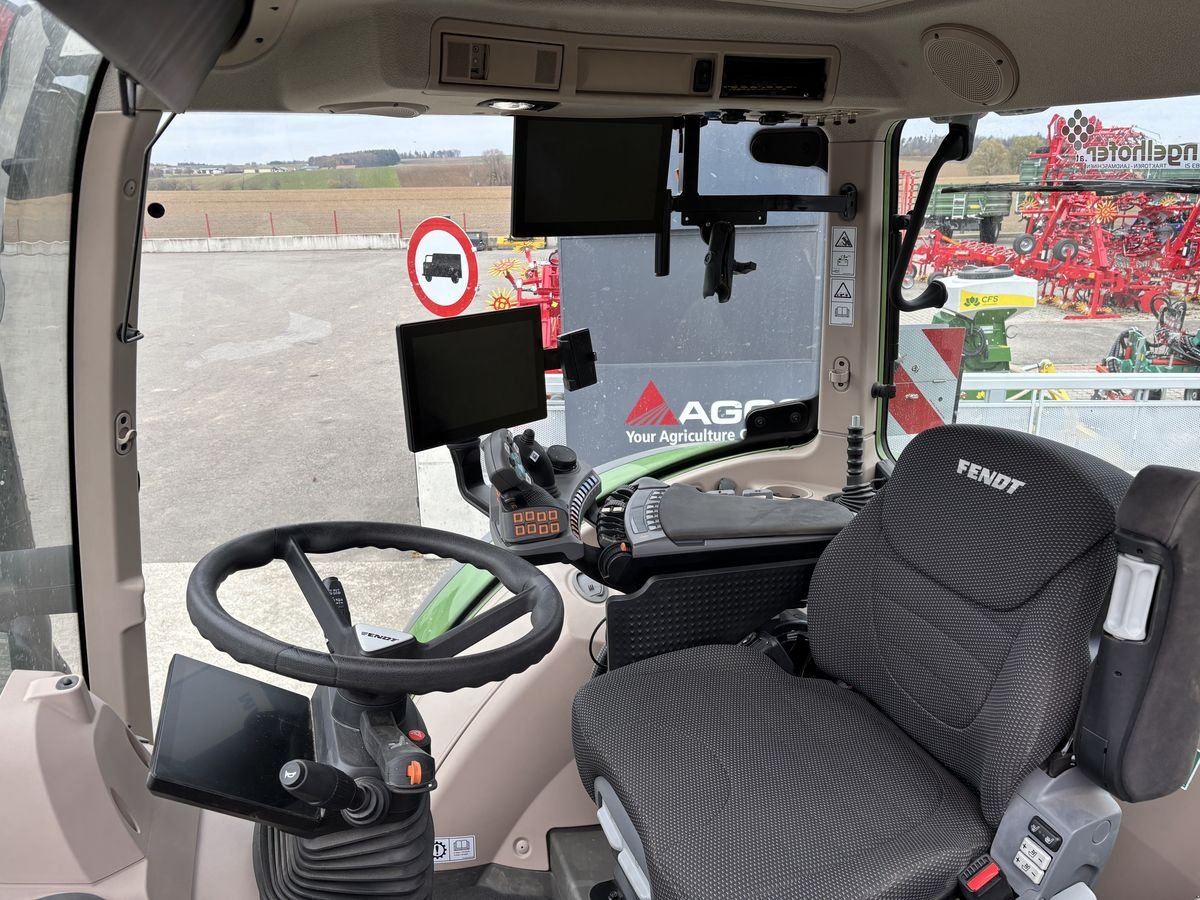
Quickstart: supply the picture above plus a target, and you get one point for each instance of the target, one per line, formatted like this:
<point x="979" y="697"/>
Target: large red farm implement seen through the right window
<point x="1096" y="238"/>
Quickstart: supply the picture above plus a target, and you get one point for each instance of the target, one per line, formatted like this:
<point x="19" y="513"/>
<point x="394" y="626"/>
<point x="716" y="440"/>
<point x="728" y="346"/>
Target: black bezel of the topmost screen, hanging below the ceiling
<point x="521" y="227"/>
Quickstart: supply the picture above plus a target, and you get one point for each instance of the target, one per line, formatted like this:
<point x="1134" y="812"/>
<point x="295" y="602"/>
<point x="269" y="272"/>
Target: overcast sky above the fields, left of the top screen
<point x="247" y="137"/>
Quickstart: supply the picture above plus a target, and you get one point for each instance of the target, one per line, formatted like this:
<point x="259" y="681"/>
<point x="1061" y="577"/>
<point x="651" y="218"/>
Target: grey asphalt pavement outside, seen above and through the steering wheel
<point x="269" y="394"/>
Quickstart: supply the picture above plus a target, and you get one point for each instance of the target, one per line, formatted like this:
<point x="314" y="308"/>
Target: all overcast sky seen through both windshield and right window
<point x="247" y="137"/>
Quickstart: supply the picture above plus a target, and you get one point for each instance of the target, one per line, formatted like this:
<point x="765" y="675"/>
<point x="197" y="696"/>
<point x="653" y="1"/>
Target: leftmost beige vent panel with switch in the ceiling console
<point x="497" y="63"/>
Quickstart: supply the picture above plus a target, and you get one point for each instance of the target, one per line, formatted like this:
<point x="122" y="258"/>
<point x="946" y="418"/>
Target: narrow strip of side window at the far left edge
<point x="46" y="74"/>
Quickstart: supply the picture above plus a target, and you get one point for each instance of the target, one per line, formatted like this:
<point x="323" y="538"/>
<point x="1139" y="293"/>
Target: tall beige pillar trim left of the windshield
<point x="110" y="538"/>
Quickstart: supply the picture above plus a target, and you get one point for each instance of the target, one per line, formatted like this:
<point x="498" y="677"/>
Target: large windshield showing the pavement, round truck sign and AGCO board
<point x="280" y="253"/>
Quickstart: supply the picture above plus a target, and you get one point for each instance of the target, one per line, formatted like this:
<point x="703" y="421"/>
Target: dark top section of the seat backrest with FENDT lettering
<point x="994" y="514"/>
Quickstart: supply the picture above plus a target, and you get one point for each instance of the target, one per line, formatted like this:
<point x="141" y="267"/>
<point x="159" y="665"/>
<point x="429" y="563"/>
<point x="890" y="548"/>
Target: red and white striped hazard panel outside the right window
<point x="928" y="379"/>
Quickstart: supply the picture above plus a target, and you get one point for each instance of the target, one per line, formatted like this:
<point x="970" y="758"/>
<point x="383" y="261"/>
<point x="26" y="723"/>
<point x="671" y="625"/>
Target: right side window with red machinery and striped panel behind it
<point x="1069" y="248"/>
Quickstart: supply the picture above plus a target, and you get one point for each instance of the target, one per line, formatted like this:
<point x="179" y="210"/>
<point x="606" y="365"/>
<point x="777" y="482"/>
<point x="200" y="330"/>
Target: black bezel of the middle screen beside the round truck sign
<point x="427" y="439"/>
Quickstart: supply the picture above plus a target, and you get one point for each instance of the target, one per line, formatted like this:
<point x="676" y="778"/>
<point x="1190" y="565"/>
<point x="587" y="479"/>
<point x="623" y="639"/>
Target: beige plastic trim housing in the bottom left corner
<point x="74" y="781"/>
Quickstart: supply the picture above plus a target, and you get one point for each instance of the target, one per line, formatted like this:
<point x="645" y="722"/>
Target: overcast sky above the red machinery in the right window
<point x="1168" y="121"/>
